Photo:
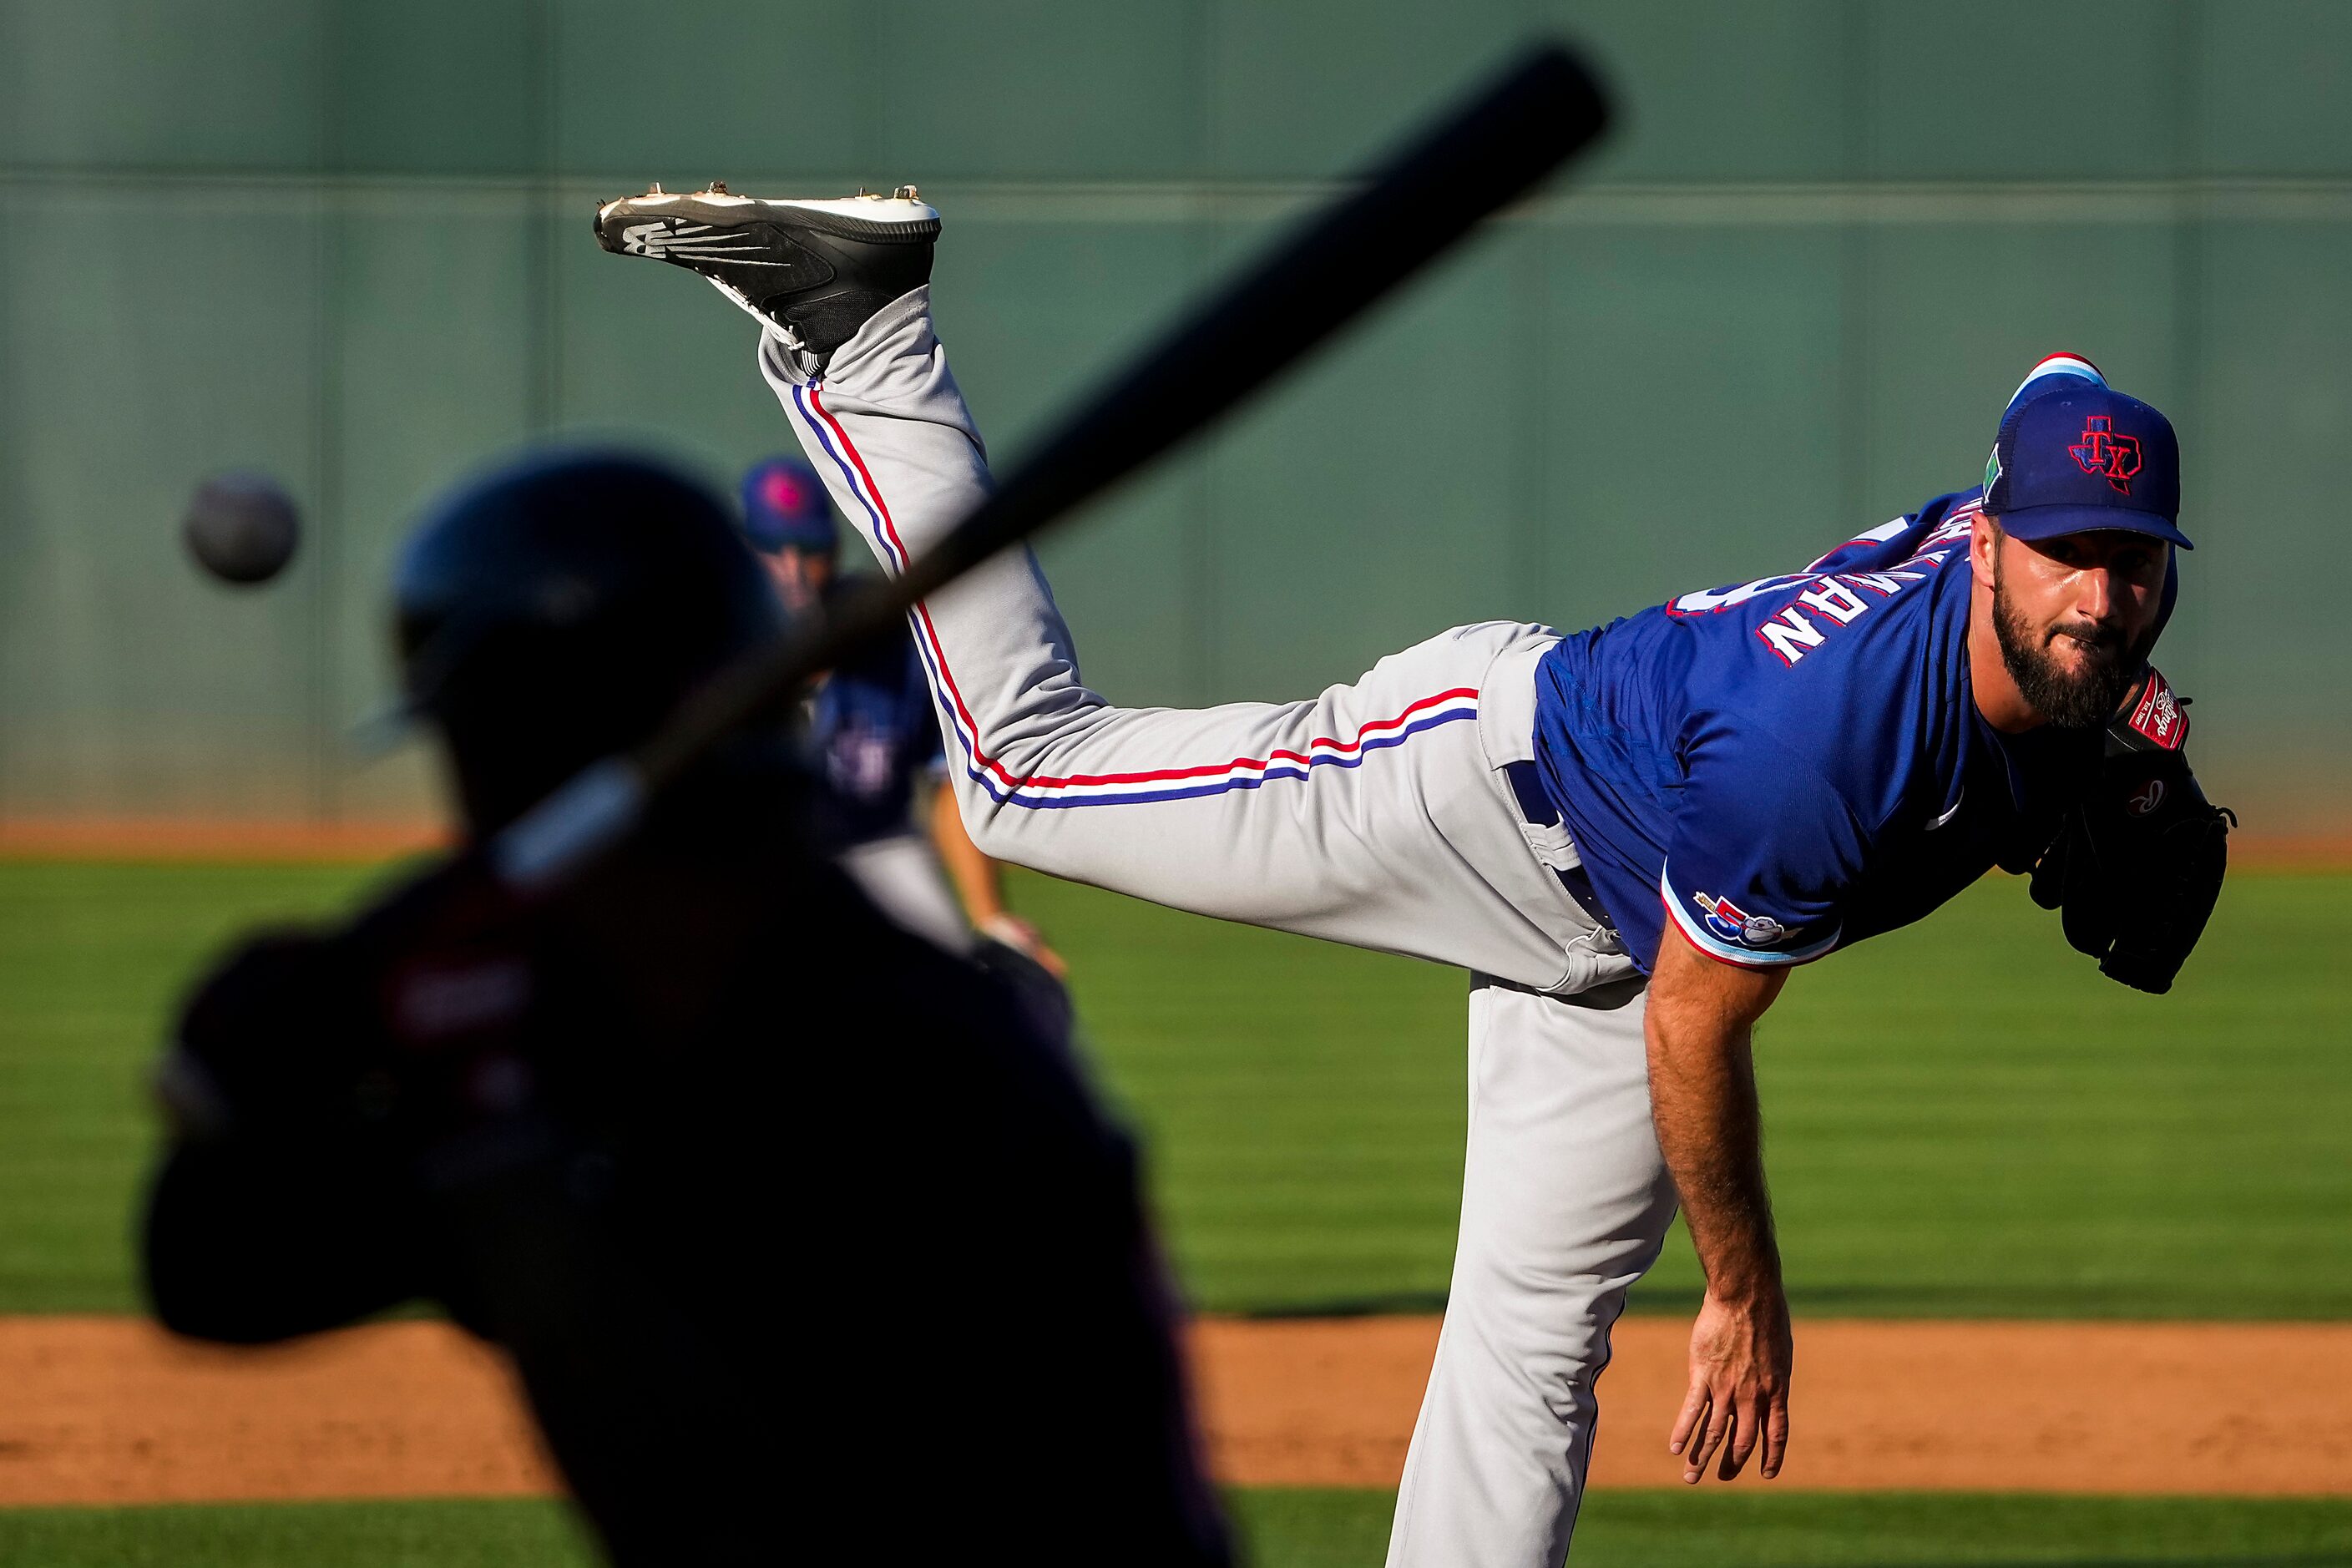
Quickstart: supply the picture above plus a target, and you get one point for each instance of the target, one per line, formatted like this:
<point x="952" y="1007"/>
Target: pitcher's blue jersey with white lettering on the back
<point x="1791" y="765"/>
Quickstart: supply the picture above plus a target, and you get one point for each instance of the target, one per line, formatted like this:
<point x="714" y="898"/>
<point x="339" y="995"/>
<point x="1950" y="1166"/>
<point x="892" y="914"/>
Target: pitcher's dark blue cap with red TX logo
<point x="2076" y="455"/>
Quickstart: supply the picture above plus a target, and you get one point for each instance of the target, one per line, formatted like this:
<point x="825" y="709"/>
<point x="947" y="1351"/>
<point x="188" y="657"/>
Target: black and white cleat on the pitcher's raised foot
<point x="817" y="272"/>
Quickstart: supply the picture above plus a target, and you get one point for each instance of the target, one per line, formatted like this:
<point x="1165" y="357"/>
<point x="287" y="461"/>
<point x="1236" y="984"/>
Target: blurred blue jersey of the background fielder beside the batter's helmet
<point x="874" y="737"/>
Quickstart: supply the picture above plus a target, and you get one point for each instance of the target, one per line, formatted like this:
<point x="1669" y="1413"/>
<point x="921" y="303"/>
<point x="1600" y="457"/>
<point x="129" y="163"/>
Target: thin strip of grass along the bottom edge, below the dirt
<point x="1288" y="1529"/>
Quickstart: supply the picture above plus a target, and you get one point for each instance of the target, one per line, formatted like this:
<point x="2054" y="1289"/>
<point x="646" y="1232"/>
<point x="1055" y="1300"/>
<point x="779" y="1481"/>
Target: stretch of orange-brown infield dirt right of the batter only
<point x="2247" y="1409"/>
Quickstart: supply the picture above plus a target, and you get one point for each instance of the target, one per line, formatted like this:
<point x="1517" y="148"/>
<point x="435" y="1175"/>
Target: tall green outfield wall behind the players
<point x="349" y="243"/>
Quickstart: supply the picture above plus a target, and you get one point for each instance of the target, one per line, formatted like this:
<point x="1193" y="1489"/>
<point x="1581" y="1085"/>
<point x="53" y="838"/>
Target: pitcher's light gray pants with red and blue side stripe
<point x="1375" y="815"/>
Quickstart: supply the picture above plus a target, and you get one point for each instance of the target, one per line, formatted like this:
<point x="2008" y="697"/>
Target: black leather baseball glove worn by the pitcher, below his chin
<point x="2139" y="859"/>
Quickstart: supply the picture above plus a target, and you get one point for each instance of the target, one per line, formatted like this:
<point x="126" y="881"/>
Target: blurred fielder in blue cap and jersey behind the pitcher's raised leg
<point x="876" y="744"/>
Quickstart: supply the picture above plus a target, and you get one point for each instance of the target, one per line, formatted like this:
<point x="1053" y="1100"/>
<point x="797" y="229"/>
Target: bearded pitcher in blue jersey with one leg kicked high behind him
<point x="1629" y="836"/>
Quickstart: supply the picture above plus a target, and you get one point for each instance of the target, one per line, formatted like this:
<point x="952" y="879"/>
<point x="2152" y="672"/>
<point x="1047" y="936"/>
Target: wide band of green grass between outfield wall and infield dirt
<point x="1965" y="1118"/>
